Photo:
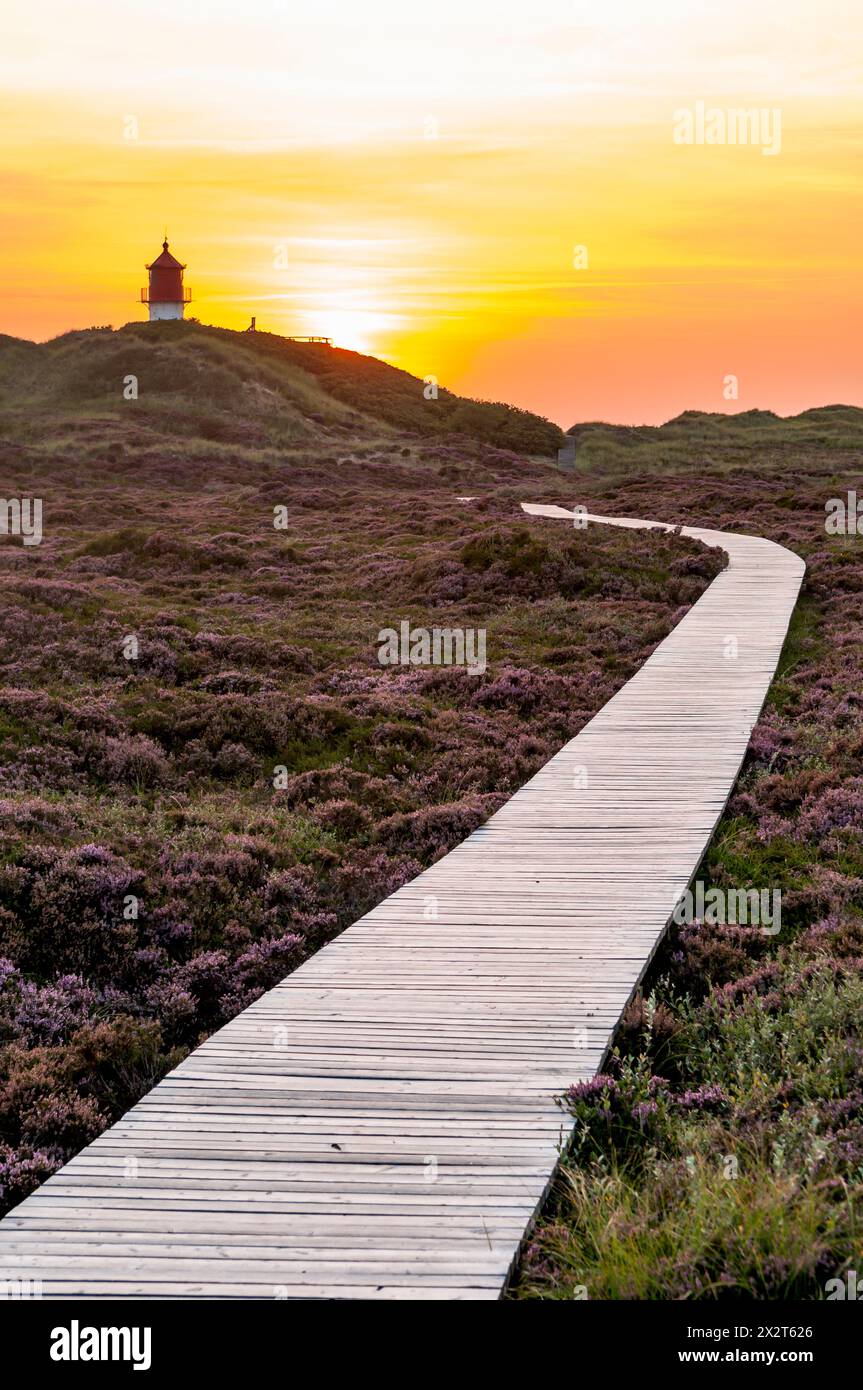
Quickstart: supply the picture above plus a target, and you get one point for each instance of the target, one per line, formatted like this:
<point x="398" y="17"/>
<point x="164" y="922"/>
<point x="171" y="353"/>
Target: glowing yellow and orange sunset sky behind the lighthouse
<point x="416" y="180"/>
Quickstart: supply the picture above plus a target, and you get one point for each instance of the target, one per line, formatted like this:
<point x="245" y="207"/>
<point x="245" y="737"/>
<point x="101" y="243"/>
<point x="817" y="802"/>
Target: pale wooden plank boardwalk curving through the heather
<point x="383" y="1124"/>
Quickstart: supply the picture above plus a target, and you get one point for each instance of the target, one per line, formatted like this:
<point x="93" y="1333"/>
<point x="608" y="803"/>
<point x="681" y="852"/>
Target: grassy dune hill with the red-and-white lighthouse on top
<point x="247" y="389"/>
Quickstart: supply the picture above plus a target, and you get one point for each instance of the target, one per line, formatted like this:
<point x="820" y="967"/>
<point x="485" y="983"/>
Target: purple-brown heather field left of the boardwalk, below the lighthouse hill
<point x="154" y="881"/>
